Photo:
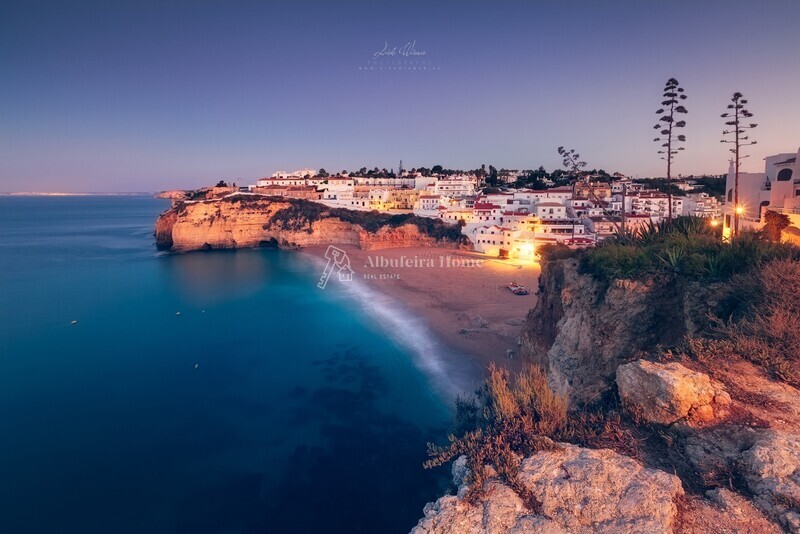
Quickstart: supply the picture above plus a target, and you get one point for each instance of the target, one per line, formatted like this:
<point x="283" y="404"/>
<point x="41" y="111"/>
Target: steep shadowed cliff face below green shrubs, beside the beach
<point x="582" y="330"/>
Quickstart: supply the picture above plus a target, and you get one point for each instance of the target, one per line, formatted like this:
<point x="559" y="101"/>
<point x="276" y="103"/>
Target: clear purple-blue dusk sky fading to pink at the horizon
<point x="144" y="96"/>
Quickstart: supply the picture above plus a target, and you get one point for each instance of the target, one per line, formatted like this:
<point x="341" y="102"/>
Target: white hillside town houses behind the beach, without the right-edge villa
<point x="509" y="223"/>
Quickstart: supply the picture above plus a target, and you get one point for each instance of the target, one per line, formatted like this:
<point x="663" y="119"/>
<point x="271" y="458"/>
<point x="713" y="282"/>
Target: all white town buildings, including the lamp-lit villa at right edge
<point x="513" y="222"/>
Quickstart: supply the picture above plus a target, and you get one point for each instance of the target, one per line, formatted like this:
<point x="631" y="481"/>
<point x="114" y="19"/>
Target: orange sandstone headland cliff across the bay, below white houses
<point x="245" y="221"/>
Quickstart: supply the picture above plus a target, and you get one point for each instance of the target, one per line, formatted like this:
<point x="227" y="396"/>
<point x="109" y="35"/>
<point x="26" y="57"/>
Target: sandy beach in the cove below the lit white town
<point x="461" y="295"/>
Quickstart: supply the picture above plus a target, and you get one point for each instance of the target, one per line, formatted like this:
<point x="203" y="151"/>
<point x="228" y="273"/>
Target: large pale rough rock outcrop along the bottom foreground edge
<point x="581" y="491"/>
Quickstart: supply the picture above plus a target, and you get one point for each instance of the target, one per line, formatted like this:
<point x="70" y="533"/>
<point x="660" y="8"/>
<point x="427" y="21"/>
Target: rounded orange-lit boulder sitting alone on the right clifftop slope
<point x="668" y="393"/>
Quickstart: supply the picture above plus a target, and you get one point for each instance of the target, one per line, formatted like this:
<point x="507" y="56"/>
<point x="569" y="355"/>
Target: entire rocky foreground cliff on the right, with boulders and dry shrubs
<point x="702" y="417"/>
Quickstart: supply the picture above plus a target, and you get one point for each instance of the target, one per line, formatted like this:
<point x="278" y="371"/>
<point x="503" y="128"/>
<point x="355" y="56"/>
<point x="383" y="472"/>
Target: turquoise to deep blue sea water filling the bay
<point x="266" y="405"/>
